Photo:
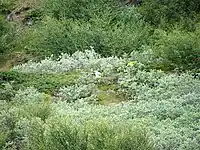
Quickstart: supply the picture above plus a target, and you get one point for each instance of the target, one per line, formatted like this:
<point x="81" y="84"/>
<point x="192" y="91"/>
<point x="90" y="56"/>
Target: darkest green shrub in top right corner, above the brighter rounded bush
<point x="162" y="12"/>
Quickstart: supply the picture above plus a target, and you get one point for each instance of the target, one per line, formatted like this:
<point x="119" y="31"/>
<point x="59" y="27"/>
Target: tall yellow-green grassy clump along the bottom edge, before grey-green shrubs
<point x="63" y="133"/>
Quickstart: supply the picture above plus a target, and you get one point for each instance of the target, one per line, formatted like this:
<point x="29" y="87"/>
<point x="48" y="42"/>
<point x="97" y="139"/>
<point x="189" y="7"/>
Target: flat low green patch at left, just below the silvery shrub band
<point x="47" y="83"/>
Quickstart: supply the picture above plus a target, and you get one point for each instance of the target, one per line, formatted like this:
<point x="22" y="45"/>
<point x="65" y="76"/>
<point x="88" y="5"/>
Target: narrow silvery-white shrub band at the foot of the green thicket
<point x="88" y="59"/>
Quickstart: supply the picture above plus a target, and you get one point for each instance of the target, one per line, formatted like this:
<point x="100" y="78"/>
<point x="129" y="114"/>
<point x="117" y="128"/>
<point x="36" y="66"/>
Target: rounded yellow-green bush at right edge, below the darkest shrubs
<point x="178" y="49"/>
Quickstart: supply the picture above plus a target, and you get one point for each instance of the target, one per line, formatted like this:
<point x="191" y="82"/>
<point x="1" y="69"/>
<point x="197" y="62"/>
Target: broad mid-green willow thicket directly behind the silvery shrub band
<point x="106" y="36"/>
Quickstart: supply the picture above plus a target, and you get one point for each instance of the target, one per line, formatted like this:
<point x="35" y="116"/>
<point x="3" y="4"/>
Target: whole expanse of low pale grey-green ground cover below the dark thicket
<point x="164" y="108"/>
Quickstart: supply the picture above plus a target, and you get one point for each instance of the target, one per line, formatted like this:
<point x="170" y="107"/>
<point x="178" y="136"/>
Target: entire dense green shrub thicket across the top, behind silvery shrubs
<point x="114" y="29"/>
